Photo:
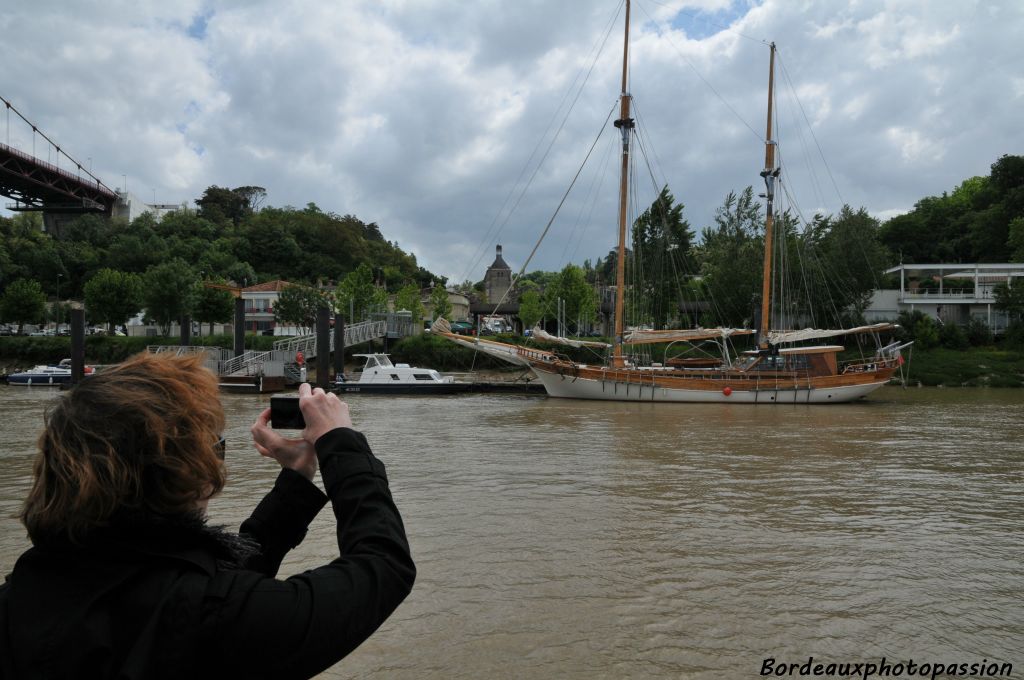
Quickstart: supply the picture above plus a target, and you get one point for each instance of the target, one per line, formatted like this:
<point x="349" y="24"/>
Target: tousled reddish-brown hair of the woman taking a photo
<point x="140" y="438"/>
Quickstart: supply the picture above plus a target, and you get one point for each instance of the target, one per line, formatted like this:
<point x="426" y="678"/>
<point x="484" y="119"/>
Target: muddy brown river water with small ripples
<point x="561" y="539"/>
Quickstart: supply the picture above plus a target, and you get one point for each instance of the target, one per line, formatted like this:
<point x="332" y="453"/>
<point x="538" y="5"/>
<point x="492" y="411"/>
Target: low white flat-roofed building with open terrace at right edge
<point x="951" y="293"/>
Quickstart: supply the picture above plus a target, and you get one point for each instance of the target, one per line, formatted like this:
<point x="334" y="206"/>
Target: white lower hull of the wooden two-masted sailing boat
<point x="579" y="389"/>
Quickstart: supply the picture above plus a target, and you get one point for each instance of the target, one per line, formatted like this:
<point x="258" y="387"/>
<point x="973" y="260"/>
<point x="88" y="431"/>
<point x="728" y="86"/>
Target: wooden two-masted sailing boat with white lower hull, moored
<point x="779" y="371"/>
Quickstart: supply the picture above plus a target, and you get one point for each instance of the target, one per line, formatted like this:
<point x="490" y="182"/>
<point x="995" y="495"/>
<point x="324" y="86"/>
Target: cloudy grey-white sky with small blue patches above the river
<point x="459" y="125"/>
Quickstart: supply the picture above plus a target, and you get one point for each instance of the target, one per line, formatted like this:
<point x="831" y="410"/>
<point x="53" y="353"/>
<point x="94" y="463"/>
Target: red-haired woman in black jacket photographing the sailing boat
<point x="126" y="580"/>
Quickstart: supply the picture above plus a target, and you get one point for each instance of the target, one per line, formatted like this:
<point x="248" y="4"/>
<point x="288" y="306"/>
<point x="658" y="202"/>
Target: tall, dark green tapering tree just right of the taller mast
<point x="661" y="246"/>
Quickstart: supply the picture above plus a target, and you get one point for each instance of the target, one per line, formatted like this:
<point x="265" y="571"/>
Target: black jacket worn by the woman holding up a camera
<point x="180" y="601"/>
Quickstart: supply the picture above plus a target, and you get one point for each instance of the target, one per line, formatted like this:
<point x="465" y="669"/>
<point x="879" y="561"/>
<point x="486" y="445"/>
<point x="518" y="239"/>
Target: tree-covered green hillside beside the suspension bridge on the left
<point x="231" y="237"/>
